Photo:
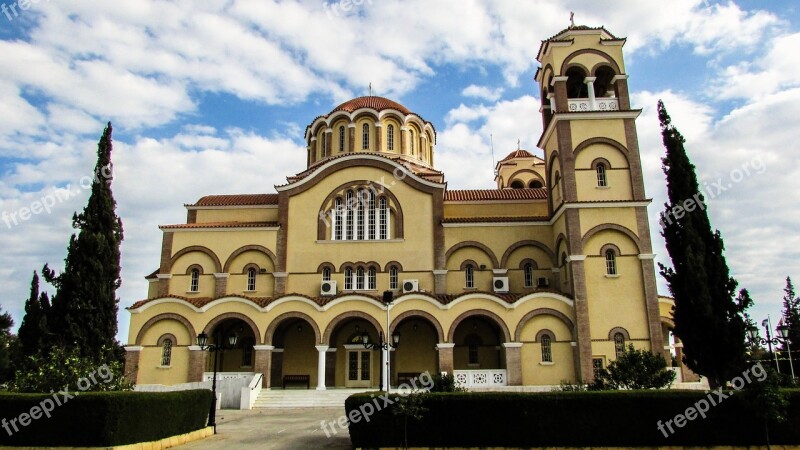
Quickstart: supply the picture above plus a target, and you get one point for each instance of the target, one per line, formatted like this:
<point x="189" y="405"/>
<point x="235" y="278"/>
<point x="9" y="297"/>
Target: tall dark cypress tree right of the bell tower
<point x="708" y="319"/>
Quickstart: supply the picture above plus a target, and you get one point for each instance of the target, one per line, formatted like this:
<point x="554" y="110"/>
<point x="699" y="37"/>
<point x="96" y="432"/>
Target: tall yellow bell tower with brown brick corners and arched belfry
<point x="596" y="193"/>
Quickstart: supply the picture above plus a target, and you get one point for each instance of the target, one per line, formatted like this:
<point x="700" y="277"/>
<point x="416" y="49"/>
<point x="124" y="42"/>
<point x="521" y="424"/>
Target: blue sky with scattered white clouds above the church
<point x="213" y="97"/>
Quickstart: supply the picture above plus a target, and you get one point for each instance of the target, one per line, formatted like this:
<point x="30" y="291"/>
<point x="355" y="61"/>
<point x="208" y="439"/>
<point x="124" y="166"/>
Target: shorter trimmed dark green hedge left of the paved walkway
<point x="100" y="419"/>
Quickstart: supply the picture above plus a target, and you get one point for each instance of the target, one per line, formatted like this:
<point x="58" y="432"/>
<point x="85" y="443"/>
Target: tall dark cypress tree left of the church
<point x="84" y="309"/>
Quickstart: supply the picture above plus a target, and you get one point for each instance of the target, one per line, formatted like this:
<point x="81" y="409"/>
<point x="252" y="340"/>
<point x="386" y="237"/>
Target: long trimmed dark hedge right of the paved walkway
<point x="569" y="419"/>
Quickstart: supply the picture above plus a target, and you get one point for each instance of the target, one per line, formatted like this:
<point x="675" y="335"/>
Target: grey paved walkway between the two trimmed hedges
<point x="275" y="429"/>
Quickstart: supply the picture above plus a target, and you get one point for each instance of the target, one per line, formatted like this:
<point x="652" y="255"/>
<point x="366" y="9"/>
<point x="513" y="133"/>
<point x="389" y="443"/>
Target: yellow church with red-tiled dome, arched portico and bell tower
<point x="544" y="279"/>
